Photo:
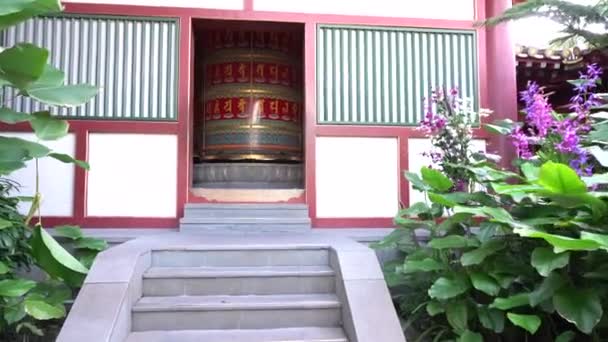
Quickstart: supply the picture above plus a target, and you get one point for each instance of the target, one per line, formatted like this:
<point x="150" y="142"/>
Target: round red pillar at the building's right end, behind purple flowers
<point x="500" y="79"/>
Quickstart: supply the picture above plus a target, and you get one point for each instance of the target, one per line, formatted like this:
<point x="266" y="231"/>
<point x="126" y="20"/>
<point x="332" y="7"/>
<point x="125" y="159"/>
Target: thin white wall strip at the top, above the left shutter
<point x="219" y="4"/>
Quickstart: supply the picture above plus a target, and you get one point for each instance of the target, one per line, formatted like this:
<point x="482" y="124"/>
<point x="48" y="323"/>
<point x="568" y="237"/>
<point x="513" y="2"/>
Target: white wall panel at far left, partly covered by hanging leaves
<point x="56" y="178"/>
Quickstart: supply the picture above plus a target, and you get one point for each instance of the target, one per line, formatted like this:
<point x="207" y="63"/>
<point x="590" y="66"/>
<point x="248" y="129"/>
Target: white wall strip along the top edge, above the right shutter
<point x="431" y="9"/>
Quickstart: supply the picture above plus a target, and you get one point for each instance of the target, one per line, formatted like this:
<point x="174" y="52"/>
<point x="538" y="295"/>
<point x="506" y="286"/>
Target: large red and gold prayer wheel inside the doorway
<point x="252" y="96"/>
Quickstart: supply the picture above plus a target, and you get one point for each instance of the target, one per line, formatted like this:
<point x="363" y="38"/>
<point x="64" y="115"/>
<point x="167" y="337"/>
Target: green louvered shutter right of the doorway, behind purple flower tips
<point x="380" y="76"/>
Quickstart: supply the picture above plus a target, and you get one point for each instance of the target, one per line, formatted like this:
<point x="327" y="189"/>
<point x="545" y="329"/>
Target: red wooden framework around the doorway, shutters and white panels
<point x="491" y="66"/>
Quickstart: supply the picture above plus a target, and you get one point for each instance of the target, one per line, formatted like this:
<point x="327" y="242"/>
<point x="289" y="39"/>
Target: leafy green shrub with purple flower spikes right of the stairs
<point x="525" y="260"/>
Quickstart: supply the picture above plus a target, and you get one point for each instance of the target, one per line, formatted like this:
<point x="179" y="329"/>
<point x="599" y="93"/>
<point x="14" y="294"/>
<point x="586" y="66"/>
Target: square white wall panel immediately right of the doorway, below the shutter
<point x="357" y="177"/>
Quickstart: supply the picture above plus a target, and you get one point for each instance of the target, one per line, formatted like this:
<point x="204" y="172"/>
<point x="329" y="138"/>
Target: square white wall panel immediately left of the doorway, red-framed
<point x="132" y="175"/>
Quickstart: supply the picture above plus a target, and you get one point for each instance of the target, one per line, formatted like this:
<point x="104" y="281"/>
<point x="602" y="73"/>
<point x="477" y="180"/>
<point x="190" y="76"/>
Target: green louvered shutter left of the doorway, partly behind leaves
<point x="132" y="59"/>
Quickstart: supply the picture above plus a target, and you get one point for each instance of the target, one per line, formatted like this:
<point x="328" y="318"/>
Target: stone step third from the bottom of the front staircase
<point x="266" y="280"/>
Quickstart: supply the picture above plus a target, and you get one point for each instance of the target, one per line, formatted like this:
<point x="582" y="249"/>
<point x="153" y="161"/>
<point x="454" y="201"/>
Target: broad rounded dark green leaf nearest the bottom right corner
<point x="582" y="307"/>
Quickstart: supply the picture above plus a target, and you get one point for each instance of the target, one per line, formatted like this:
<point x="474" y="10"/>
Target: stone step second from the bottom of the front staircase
<point x="236" y="312"/>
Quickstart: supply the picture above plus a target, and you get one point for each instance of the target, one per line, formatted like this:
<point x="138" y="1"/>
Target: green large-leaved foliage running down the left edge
<point x="26" y="303"/>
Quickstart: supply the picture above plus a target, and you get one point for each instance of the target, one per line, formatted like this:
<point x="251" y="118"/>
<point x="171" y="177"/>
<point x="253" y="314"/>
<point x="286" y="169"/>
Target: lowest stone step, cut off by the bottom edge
<point x="309" y="334"/>
